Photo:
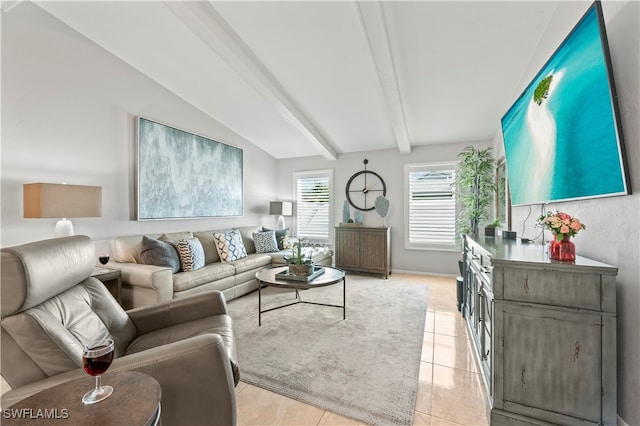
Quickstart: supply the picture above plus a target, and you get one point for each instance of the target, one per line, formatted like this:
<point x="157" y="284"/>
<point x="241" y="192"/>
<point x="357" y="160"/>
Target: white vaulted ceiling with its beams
<point x="304" y="78"/>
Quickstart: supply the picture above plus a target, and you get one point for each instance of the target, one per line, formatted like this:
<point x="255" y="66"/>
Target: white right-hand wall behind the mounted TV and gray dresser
<point x="613" y="226"/>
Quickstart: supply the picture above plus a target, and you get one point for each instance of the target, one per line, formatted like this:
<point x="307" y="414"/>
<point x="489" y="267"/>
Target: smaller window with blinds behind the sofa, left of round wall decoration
<point x="313" y="204"/>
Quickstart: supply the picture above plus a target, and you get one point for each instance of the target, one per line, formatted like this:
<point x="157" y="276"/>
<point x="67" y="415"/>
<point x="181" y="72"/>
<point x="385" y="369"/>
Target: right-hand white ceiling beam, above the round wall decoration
<point x="375" y="27"/>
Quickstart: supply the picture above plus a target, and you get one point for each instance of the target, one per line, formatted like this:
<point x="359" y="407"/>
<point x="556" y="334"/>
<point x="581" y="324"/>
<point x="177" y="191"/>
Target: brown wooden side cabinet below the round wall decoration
<point x="364" y="249"/>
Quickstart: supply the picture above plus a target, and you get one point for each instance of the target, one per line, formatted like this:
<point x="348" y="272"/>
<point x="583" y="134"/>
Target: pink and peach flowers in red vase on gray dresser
<point x="563" y="226"/>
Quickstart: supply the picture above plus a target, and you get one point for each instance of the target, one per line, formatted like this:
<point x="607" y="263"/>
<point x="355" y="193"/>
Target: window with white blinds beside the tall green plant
<point x="430" y="206"/>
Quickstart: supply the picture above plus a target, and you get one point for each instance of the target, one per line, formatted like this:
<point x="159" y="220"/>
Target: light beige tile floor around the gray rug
<point x="450" y="389"/>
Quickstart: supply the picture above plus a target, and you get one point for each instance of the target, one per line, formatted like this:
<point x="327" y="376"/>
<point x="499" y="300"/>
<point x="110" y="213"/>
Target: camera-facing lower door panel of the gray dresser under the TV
<point x="552" y="365"/>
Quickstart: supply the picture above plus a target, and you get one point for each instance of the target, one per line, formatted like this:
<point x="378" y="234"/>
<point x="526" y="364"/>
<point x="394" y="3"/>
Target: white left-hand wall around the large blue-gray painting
<point x="68" y="114"/>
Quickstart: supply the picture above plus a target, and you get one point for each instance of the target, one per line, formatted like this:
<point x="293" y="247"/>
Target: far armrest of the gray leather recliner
<point x="177" y="311"/>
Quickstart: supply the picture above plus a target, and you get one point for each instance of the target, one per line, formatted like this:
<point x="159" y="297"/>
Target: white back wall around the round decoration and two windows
<point x="389" y="164"/>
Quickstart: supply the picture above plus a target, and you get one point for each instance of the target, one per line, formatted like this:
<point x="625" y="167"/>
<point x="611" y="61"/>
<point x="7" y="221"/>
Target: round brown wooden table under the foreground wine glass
<point x="135" y="401"/>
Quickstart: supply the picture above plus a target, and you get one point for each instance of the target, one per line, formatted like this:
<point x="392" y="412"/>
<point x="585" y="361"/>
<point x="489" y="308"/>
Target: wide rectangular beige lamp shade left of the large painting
<point x="53" y="200"/>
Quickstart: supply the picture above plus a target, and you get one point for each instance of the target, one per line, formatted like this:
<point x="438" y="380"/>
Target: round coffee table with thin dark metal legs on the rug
<point x="269" y="278"/>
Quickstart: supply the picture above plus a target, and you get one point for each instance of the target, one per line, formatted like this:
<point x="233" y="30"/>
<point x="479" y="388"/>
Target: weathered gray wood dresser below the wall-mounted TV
<point x="543" y="332"/>
